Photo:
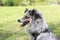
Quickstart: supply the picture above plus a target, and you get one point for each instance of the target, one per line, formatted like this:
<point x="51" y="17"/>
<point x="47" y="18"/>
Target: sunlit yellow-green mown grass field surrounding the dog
<point x="10" y="29"/>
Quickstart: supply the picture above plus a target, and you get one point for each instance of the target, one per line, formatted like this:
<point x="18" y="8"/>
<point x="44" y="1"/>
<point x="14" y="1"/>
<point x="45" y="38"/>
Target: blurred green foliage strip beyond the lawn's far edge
<point x="27" y="2"/>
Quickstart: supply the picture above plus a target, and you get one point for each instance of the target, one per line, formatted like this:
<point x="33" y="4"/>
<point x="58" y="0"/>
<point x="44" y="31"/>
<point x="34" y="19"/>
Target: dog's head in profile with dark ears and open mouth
<point x="29" y="16"/>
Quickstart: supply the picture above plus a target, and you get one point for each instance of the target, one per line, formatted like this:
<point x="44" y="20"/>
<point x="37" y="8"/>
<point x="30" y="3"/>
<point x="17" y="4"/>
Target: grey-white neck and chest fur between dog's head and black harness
<point x="37" y="25"/>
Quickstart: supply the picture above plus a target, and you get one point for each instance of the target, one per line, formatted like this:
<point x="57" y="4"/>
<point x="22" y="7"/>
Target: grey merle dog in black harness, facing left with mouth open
<point x="35" y="25"/>
